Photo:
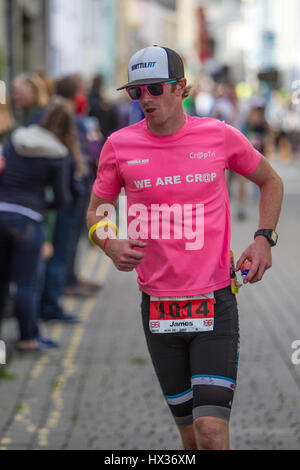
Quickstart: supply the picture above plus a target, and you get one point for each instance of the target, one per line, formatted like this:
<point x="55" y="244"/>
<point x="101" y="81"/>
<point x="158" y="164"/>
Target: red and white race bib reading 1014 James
<point x="182" y="314"/>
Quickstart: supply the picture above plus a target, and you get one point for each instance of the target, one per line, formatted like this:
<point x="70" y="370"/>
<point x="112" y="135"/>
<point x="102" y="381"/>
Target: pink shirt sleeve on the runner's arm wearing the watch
<point x="241" y="156"/>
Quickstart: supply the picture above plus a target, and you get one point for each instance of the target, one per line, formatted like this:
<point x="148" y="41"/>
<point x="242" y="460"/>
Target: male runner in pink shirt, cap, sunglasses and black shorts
<point x="173" y="166"/>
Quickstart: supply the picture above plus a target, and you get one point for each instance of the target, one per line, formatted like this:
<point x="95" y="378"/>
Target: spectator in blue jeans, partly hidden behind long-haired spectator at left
<point x="61" y="276"/>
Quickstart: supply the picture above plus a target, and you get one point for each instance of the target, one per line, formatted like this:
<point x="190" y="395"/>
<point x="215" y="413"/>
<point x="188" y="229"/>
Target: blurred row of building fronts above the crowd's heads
<point x="99" y="36"/>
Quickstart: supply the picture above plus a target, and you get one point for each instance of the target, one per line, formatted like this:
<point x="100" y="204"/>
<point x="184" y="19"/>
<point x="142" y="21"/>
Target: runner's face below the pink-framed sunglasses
<point x="161" y="110"/>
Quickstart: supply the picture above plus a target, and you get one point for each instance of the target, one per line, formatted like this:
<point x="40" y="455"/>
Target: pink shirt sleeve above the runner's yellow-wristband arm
<point x="108" y="182"/>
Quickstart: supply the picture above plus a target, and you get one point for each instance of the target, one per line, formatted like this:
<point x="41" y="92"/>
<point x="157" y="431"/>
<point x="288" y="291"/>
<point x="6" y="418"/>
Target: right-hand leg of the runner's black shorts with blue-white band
<point x="214" y="360"/>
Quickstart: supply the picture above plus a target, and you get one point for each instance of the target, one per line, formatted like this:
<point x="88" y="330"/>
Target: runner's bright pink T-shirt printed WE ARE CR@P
<point x="185" y="170"/>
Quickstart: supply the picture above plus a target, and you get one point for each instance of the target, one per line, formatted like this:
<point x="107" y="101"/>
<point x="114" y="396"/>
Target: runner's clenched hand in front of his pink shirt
<point x="124" y="255"/>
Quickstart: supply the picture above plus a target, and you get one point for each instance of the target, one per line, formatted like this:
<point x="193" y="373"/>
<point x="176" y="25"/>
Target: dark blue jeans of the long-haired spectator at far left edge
<point x="20" y="247"/>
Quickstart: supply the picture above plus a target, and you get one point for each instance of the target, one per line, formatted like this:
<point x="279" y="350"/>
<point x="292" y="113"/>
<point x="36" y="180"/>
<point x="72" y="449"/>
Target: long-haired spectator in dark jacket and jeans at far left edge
<point x="37" y="157"/>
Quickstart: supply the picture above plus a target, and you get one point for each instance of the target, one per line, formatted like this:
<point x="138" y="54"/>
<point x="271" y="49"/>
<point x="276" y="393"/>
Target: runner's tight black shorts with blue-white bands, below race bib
<point x="197" y="371"/>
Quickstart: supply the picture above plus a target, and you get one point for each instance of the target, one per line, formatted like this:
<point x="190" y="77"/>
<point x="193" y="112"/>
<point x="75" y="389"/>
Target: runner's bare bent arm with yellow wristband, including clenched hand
<point x="122" y="252"/>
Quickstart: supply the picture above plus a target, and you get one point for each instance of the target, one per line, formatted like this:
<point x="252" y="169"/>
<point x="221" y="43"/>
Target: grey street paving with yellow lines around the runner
<point x="99" y="390"/>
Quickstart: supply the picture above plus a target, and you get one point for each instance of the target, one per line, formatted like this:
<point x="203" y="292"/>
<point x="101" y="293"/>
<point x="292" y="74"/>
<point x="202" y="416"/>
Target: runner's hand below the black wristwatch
<point x="259" y="253"/>
